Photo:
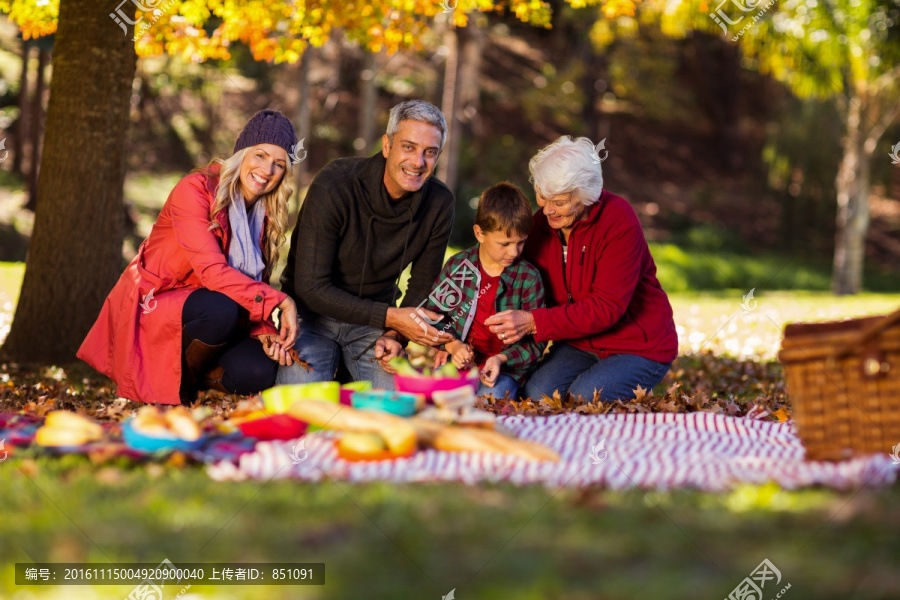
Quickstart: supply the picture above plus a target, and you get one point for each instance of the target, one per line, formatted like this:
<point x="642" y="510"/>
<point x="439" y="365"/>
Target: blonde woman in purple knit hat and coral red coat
<point x="193" y="310"/>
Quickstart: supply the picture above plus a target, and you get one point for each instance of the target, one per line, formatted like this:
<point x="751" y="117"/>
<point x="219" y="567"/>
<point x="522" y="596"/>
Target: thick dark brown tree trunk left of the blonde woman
<point x="75" y="254"/>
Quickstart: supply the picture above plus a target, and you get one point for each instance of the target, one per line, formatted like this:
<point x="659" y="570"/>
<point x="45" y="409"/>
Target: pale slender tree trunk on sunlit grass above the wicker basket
<point x="852" y="186"/>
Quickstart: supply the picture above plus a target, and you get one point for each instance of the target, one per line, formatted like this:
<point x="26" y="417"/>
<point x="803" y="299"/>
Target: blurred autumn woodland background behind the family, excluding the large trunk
<point x="771" y="146"/>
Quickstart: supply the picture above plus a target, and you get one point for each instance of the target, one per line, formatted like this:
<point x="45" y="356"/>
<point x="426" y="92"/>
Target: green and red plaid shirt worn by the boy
<point x="456" y="292"/>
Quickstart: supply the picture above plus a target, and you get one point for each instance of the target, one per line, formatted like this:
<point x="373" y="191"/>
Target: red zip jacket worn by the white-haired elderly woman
<point x="617" y="305"/>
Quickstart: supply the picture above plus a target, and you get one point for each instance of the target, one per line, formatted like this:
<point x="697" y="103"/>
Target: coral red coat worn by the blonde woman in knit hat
<point x="136" y="340"/>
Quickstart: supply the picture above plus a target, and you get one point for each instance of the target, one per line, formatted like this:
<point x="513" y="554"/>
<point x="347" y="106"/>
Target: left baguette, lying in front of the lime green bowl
<point x="398" y="433"/>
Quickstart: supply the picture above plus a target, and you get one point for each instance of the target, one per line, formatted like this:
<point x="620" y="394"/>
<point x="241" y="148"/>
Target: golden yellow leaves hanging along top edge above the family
<point x="281" y="30"/>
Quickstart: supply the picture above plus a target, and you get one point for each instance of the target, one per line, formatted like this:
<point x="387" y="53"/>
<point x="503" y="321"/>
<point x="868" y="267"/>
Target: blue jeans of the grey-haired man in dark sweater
<point x="324" y="341"/>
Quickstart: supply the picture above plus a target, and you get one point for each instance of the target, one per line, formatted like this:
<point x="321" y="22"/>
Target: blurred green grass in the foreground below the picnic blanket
<point x="382" y="541"/>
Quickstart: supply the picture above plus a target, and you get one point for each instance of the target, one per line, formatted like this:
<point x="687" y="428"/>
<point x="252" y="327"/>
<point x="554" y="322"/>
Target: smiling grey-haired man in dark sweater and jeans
<point x="364" y="220"/>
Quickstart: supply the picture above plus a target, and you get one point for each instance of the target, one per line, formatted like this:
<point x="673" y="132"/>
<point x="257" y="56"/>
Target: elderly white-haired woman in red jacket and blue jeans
<point x="608" y="317"/>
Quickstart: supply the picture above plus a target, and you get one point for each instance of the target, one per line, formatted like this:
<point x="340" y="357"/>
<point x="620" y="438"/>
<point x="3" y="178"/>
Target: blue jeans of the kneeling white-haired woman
<point x="580" y="373"/>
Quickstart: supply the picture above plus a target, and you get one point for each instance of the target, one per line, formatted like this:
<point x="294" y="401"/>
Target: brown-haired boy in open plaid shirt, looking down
<point x="488" y="278"/>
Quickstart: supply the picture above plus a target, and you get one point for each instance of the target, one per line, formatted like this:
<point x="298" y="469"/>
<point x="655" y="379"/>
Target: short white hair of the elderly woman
<point x="568" y="166"/>
